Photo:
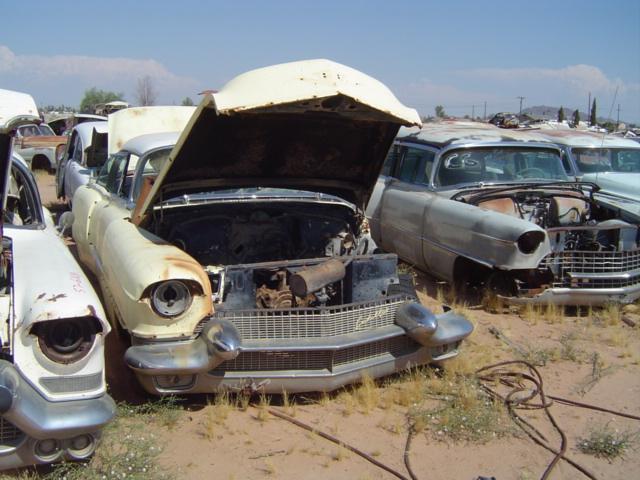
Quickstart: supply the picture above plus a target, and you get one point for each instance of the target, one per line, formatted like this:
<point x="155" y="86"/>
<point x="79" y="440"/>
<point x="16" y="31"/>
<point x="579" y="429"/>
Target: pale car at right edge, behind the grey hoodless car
<point x="611" y="162"/>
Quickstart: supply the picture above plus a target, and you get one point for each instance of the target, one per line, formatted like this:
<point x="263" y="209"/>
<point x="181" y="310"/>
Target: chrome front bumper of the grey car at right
<point x="581" y="296"/>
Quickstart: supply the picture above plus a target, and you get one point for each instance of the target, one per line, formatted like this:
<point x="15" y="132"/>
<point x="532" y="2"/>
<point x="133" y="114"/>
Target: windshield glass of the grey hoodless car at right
<point x="499" y="164"/>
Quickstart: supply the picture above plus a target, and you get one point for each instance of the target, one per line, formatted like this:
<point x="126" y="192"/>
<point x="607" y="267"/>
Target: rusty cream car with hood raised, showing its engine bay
<point x="241" y="258"/>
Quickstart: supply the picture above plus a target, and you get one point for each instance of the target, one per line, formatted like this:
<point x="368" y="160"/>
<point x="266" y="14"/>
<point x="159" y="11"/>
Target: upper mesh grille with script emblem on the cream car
<point x="299" y="323"/>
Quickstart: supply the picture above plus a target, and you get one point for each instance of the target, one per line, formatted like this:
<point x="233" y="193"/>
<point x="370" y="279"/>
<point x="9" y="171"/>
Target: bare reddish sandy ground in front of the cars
<point x="214" y="442"/>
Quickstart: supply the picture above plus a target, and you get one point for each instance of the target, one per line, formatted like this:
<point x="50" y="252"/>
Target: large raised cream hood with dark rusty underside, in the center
<point x="312" y="125"/>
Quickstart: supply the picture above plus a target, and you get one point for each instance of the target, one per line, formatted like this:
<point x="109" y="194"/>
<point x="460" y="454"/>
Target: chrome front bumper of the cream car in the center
<point x="181" y="366"/>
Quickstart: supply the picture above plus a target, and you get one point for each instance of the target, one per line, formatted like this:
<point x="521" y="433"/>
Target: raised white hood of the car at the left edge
<point x="16" y="109"/>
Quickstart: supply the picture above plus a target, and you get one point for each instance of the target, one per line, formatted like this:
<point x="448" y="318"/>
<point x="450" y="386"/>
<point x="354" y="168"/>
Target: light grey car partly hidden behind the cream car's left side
<point x="85" y="153"/>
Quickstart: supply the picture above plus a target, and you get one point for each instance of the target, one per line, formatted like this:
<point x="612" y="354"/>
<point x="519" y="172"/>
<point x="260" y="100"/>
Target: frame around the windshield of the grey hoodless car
<point x="528" y="146"/>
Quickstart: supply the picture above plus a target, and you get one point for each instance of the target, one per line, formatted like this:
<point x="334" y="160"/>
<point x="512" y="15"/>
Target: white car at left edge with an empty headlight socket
<point x="53" y="401"/>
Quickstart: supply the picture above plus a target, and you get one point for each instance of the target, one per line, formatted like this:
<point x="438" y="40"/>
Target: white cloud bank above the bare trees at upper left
<point x="72" y="74"/>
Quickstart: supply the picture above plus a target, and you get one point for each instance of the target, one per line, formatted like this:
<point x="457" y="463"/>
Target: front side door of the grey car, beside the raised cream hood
<point x="404" y="203"/>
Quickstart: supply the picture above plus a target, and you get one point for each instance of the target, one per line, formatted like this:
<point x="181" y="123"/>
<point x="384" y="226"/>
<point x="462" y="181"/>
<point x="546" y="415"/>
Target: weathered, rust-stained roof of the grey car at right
<point x="459" y="133"/>
